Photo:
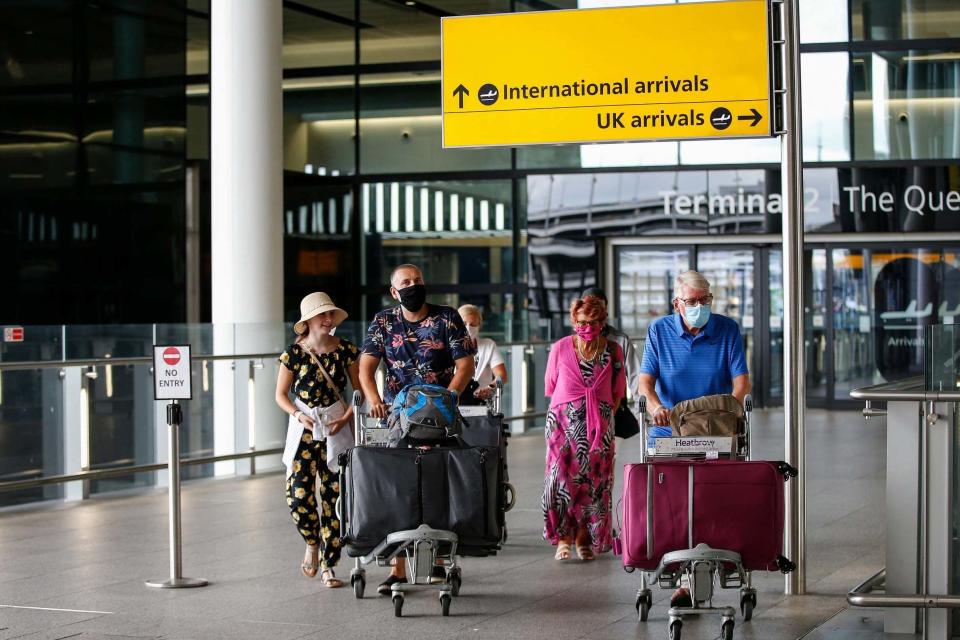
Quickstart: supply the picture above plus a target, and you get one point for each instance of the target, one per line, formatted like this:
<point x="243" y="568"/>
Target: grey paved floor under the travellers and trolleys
<point x="77" y="571"/>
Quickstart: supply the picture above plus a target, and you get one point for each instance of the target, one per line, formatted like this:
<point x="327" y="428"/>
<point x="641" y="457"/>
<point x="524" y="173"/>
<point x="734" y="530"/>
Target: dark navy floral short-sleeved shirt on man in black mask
<point x="417" y="352"/>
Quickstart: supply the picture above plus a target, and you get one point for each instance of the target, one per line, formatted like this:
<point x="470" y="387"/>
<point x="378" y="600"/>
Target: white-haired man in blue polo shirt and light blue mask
<point x="691" y="354"/>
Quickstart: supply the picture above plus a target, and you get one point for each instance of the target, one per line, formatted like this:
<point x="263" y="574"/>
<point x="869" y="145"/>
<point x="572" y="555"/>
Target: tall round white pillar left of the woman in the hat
<point x="246" y="158"/>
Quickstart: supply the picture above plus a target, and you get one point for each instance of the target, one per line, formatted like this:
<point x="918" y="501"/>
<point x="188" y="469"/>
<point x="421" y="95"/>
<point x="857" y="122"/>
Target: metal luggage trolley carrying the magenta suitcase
<point x="703" y="566"/>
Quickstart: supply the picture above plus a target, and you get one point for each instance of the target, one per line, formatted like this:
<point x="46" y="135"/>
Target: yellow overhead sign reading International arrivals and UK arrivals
<point x="662" y="72"/>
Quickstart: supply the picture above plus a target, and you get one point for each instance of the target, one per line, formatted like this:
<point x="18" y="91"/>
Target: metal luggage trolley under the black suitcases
<point x="421" y="548"/>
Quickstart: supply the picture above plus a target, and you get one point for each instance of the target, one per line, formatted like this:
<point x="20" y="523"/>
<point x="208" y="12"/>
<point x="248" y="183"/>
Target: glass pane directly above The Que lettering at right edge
<point x="906" y="105"/>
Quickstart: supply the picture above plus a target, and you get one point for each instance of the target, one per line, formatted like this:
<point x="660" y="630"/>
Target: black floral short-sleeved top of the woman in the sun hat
<point x="309" y="385"/>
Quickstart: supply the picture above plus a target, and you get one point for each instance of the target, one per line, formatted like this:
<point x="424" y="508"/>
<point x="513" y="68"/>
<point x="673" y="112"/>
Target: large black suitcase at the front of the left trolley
<point x="387" y="490"/>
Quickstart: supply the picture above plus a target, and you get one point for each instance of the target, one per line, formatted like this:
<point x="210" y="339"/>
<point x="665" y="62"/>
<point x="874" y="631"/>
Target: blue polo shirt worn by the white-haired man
<point x="690" y="366"/>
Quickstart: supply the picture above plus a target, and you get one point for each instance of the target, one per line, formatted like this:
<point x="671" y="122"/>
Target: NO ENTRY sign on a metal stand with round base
<point x="171" y="375"/>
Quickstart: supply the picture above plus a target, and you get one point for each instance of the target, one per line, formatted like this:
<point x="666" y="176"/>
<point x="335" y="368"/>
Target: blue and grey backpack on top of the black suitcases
<point x="424" y="414"/>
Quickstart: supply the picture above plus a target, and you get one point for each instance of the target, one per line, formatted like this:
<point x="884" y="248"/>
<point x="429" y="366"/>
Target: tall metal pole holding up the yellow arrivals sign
<point x="794" y="370"/>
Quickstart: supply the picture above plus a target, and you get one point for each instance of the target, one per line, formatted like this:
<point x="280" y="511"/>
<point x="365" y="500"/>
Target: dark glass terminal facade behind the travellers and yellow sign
<point x="101" y="123"/>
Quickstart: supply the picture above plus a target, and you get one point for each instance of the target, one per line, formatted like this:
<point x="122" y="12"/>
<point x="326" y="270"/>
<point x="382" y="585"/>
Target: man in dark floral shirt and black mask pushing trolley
<point x="420" y="343"/>
